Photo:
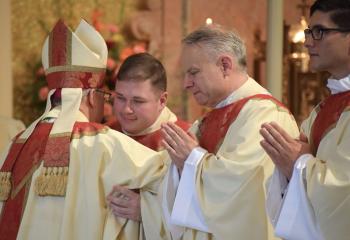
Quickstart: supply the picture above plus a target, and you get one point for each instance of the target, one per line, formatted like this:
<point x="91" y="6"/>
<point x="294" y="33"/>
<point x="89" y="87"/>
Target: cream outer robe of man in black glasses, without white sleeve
<point x="328" y="179"/>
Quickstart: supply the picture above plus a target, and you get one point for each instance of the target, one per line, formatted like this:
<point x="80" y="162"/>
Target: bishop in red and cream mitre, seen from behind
<point x="56" y="175"/>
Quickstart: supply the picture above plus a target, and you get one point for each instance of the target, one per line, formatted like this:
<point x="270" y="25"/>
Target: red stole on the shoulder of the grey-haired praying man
<point x="214" y="125"/>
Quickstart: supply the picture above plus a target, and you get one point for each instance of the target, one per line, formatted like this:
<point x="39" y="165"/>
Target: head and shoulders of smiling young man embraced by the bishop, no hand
<point x="140" y="101"/>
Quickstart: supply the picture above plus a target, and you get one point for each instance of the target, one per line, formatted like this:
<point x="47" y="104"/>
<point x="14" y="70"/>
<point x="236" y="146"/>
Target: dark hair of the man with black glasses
<point x="339" y="11"/>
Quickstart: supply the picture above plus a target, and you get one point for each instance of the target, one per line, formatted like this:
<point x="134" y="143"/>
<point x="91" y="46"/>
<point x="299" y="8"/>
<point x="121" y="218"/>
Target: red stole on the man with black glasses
<point x="327" y="117"/>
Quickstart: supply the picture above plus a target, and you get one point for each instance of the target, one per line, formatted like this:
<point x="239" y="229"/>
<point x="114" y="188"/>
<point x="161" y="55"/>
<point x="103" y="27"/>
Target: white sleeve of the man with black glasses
<point x="297" y="218"/>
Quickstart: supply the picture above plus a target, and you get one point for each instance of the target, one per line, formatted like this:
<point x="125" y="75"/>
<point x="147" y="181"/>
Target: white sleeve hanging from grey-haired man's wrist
<point x="186" y="211"/>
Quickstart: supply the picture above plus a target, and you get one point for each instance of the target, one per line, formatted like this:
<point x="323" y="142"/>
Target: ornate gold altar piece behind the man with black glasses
<point x="302" y="89"/>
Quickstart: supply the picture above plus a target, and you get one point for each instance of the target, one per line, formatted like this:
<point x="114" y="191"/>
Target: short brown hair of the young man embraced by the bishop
<point x="142" y="67"/>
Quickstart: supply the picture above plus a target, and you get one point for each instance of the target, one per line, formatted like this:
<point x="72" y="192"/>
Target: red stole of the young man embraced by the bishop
<point x="151" y="140"/>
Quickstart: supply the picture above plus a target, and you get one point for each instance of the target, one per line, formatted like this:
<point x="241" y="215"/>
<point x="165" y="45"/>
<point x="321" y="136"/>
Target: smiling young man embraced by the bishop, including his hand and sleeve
<point x="140" y="109"/>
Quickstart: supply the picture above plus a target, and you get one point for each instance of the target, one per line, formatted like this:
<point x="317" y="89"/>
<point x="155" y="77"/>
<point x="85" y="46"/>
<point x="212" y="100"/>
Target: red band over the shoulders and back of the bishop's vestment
<point x="22" y="161"/>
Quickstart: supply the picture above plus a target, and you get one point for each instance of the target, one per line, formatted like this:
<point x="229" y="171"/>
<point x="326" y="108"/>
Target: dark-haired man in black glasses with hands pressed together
<point x="310" y="188"/>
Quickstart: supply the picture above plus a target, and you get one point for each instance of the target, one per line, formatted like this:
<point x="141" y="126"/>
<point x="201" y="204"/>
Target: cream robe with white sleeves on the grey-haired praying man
<point x="228" y="196"/>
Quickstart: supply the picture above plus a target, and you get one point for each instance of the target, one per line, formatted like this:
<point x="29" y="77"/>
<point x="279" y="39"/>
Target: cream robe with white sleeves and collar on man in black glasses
<point x="316" y="203"/>
